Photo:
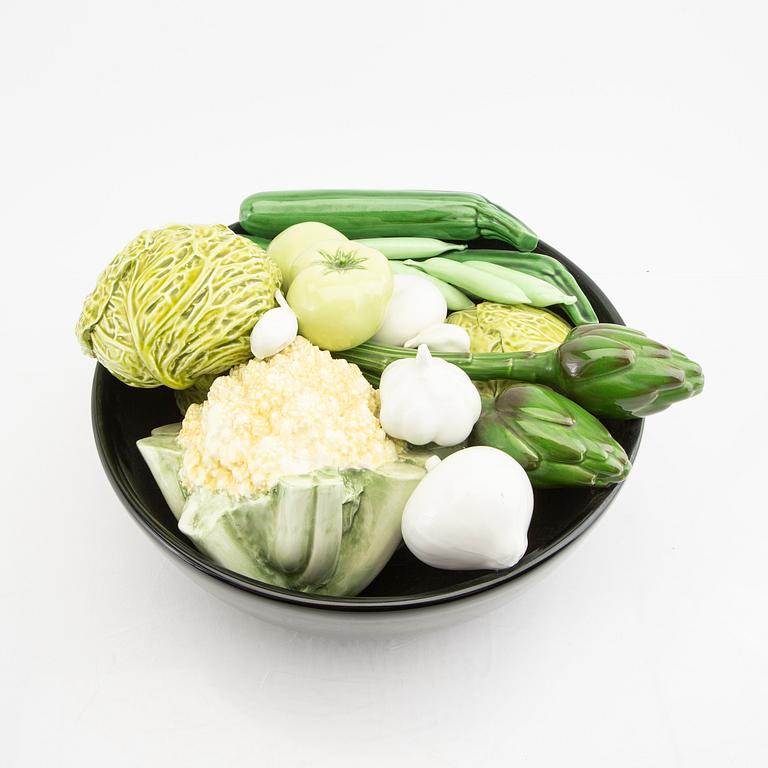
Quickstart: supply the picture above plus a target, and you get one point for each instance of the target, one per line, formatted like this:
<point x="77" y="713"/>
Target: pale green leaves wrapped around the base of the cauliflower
<point x="328" y="532"/>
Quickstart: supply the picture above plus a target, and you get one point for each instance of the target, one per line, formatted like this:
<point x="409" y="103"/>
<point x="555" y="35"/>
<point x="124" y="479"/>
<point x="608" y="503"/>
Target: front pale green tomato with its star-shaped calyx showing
<point x="340" y="295"/>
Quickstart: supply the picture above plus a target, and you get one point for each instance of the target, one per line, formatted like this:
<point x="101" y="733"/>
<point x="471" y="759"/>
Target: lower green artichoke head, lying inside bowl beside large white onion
<point x="557" y="442"/>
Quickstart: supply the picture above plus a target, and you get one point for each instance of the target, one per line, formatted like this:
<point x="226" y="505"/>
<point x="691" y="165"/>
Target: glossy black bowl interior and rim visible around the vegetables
<point x="123" y="414"/>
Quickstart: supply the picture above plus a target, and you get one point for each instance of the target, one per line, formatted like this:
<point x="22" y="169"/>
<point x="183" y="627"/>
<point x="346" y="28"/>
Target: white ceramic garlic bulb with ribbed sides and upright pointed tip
<point x="427" y="400"/>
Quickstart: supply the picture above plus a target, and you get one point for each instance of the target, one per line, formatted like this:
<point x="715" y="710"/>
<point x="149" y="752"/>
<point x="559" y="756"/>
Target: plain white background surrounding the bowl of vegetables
<point x="630" y="136"/>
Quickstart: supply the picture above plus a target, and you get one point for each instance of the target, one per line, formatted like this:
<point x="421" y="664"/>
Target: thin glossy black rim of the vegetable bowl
<point x="491" y="580"/>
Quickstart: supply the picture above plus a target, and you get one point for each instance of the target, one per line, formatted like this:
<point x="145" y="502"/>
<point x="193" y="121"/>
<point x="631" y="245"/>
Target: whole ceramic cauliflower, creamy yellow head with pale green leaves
<point x="285" y="475"/>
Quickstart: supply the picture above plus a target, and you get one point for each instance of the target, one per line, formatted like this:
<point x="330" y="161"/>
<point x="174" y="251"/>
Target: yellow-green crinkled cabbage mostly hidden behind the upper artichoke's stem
<point x="501" y="328"/>
